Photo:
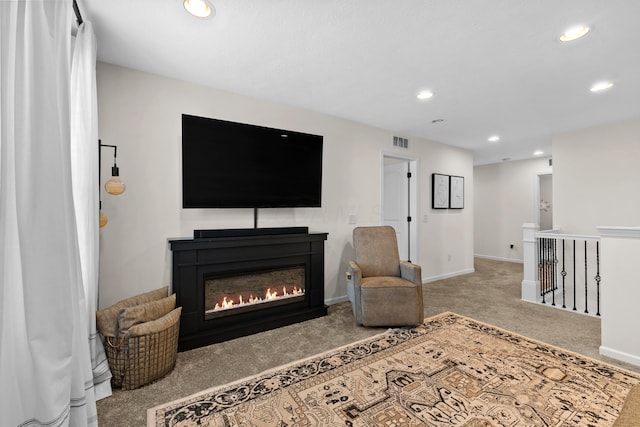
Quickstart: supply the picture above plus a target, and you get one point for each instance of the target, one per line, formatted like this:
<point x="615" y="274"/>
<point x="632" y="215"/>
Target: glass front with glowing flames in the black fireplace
<point x="248" y="291"/>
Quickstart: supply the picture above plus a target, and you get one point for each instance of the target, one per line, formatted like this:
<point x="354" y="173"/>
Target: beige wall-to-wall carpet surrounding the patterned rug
<point x="491" y="295"/>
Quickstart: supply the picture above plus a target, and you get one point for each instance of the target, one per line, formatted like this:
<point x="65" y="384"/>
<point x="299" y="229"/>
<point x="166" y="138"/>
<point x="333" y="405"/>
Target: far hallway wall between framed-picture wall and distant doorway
<point x="504" y="199"/>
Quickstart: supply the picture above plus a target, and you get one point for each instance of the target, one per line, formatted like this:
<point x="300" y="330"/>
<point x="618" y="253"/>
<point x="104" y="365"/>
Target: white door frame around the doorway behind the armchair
<point x="413" y="200"/>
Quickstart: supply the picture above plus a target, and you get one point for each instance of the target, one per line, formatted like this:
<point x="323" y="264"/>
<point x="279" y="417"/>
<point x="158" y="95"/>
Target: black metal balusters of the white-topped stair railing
<point x="565" y="266"/>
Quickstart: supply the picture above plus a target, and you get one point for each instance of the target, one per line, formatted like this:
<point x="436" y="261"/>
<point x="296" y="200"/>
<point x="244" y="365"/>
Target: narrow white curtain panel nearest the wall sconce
<point x="84" y="171"/>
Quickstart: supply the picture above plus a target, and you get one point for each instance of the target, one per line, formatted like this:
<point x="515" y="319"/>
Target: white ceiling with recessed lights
<point x="496" y="66"/>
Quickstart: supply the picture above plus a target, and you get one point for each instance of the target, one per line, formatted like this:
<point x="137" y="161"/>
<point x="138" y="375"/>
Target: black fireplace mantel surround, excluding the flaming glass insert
<point x="236" y="252"/>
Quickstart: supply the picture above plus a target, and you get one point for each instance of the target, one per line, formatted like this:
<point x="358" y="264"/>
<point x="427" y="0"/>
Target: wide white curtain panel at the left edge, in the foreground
<point x="45" y="364"/>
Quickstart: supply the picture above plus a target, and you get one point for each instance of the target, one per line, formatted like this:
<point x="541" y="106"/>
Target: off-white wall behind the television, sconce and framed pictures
<point x="141" y="114"/>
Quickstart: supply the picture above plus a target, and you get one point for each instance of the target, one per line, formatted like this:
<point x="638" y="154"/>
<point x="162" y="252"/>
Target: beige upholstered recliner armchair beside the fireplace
<point x="386" y="291"/>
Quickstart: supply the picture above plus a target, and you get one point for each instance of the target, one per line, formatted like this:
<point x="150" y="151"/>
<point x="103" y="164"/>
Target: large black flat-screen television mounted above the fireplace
<point x="234" y="165"/>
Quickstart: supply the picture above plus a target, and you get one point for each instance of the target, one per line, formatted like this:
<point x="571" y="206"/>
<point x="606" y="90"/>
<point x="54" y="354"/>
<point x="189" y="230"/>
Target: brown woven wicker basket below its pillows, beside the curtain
<point x="138" y="360"/>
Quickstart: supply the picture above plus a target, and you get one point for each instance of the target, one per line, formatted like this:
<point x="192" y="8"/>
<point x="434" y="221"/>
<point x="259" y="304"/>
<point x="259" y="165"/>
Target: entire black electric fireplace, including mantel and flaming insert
<point x="232" y="283"/>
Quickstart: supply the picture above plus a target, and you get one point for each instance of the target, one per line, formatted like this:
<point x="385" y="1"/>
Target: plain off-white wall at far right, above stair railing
<point x="596" y="176"/>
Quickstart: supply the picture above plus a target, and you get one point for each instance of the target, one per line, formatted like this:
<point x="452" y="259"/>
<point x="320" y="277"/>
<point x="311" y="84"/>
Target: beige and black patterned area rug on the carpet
<point x="451" y="371"/>
